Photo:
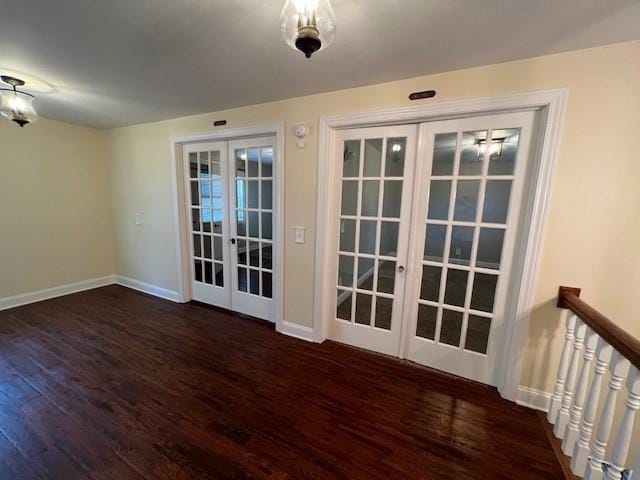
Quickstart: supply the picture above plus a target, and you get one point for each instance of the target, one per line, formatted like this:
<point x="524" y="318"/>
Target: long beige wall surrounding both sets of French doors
<point x="592" y="232"/>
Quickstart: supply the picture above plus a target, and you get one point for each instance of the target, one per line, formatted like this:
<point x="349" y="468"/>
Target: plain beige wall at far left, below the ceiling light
<point x="55" y="215"/>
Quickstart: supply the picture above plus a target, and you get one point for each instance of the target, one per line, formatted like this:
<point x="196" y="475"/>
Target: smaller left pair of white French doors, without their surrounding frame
<point x="230" y="196"/>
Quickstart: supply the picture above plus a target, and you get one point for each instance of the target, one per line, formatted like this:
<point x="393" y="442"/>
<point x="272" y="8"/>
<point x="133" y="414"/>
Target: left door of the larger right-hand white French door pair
<point x="373" y="215"/>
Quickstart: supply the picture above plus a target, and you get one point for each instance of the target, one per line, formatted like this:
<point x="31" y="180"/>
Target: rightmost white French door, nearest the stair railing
<point x="467" y="206"/>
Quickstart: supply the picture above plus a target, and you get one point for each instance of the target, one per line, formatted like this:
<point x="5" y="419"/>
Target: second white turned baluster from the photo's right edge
<point x="619" y="368"/>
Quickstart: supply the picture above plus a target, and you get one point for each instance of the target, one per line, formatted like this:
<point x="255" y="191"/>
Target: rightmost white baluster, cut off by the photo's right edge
<point x="623" y="439"/>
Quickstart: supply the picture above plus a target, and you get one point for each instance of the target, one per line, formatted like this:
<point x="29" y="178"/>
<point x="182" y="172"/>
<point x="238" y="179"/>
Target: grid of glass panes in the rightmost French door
<point x="464" y="229"/>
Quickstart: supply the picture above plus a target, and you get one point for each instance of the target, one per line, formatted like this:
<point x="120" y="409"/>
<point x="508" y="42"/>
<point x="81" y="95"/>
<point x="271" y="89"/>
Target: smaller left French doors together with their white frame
<point x="228" y="194"/>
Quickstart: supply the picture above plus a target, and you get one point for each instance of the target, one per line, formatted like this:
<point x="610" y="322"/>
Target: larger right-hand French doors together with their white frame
<point x="430" y="247"/>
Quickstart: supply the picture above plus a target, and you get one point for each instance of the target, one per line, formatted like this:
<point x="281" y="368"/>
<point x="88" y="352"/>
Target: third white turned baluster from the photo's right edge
<point x="581" y="450"/>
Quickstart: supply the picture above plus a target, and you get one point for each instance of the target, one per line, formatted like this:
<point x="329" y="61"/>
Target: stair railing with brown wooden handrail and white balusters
<point x="593" y="342"/>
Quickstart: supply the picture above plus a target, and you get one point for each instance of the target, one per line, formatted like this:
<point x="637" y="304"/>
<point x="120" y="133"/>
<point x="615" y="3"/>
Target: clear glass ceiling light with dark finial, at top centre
<point x="308" y="25"/>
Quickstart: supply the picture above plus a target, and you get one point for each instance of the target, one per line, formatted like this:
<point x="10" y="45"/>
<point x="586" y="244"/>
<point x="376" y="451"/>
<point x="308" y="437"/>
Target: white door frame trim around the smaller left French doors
<point x="181" y="227"/>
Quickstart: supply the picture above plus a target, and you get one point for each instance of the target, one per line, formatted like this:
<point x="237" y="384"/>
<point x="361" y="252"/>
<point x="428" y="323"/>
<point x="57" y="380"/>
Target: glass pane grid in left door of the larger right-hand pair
<point x="368" y="265"/>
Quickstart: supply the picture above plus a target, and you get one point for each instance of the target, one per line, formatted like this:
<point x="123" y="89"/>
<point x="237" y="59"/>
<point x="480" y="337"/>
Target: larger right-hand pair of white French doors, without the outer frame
<point x="461" y="201"/>
